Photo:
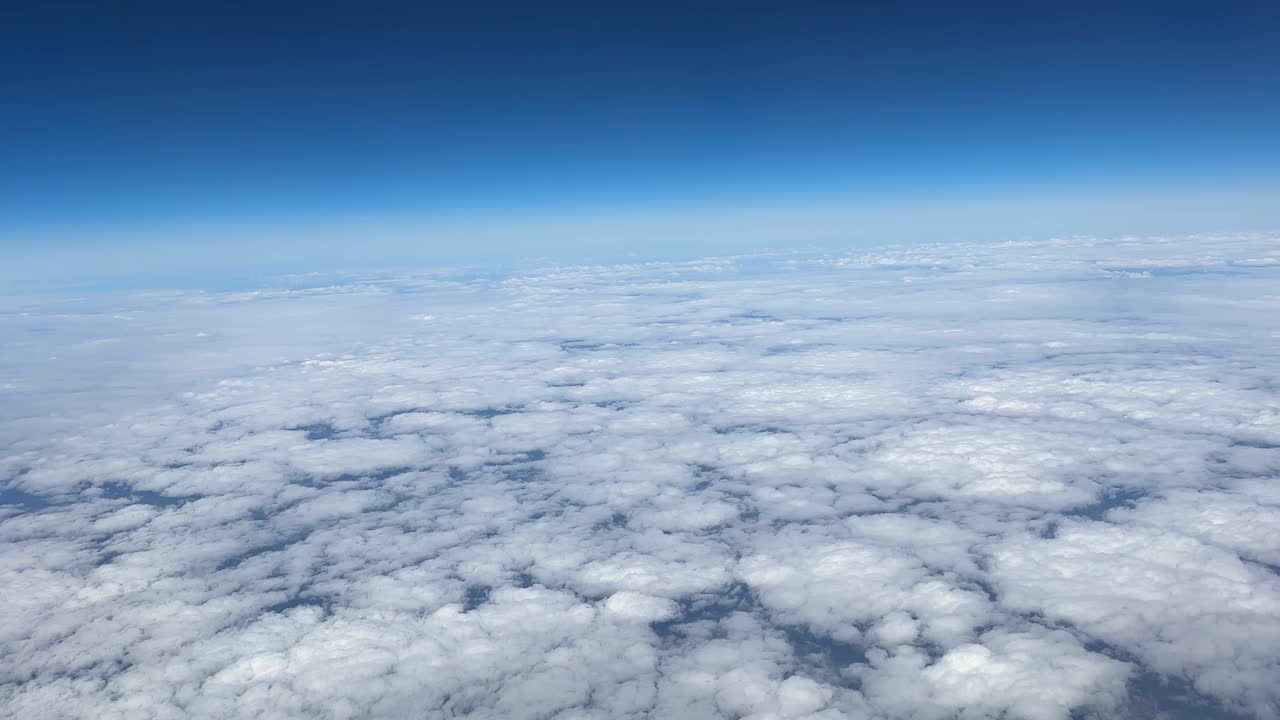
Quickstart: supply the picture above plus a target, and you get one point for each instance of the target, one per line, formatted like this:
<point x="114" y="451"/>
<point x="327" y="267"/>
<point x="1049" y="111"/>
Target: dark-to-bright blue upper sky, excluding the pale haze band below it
<point x="125" y="113"/>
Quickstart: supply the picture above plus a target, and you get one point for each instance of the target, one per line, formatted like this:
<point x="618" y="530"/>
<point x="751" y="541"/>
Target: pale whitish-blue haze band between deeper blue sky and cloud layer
<point x="225" y="254"/>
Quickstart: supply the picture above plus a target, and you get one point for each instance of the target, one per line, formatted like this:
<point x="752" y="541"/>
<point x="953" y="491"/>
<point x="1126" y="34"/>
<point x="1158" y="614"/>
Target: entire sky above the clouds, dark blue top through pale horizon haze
<point x="159" y="143"/>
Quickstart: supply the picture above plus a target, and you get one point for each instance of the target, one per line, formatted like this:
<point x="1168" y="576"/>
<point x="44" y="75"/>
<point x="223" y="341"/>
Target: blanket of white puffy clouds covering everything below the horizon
<point x="1028" y="481"/>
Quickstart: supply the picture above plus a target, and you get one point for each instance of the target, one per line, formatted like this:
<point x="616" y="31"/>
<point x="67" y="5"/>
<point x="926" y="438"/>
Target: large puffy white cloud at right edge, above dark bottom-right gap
<point x="1181" y="607"/>
